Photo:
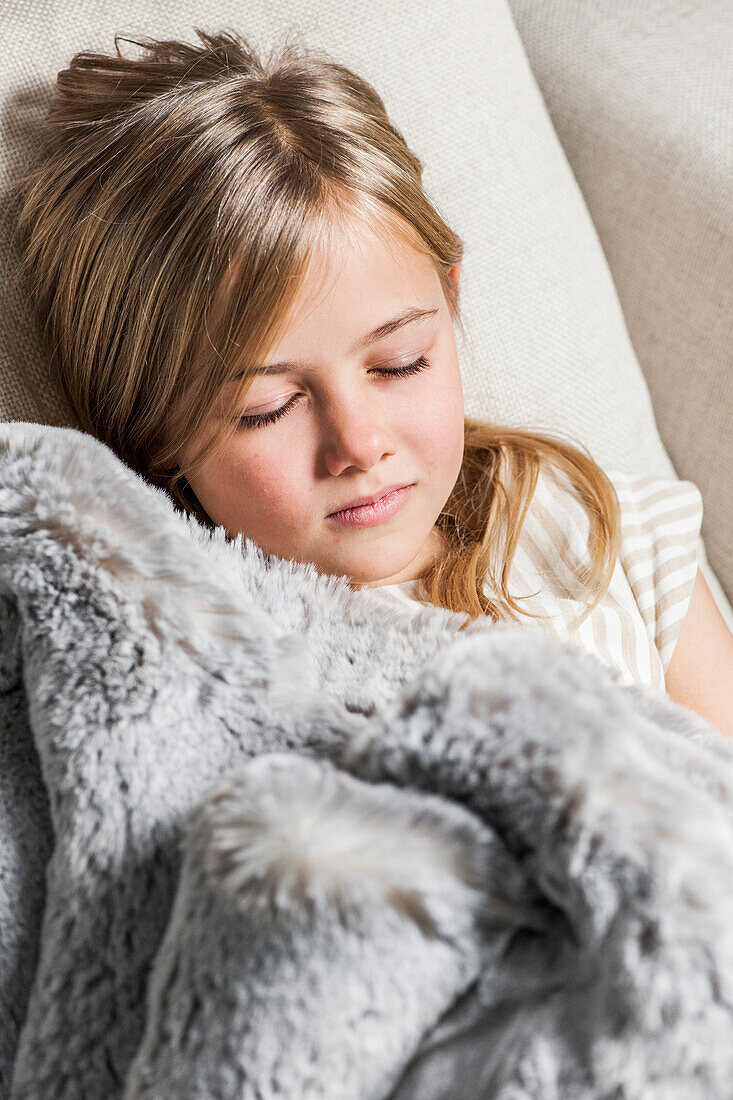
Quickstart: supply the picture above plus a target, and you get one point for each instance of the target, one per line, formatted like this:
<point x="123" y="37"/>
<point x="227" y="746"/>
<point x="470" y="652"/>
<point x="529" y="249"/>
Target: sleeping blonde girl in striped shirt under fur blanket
<point x="249" y="298"/>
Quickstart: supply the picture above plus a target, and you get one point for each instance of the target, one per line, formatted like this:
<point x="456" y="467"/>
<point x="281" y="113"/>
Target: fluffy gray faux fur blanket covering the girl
<point x="264" y="837"/>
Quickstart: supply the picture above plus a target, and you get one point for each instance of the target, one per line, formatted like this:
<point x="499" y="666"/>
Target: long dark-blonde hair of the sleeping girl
<point x="165" y="232"/>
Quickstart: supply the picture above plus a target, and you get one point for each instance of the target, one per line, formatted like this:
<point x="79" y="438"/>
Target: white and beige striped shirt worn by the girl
<point x="636" y="626"/>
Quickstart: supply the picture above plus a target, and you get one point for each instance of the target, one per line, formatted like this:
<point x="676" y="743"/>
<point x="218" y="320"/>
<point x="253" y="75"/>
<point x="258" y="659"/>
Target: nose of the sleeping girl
<point x="356" y="434"/>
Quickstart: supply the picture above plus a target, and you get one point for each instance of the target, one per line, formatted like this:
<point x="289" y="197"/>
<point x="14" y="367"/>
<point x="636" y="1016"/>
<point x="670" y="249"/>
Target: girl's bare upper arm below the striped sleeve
<point x="701" y="673"/>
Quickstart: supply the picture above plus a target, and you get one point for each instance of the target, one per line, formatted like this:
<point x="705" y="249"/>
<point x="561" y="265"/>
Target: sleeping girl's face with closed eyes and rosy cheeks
<point x="348" y="428"/>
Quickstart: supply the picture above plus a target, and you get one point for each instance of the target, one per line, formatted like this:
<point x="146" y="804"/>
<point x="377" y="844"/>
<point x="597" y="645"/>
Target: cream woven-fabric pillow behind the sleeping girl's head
<point x="546" y="342"/>
